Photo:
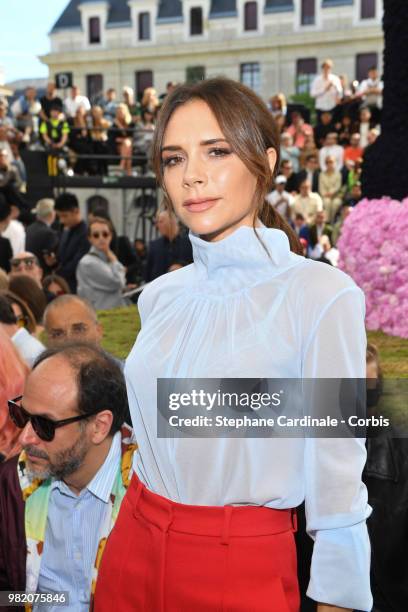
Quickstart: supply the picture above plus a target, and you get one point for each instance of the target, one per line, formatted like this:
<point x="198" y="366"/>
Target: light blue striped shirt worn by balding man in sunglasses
<point x="72" y="534"/>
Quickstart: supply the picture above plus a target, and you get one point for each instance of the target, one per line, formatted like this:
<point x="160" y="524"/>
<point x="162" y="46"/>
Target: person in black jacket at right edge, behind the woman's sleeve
<point x="386" y="478"/>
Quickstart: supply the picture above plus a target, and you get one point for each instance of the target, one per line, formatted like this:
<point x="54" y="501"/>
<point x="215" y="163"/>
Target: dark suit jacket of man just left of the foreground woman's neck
<point x="163" y="253"/>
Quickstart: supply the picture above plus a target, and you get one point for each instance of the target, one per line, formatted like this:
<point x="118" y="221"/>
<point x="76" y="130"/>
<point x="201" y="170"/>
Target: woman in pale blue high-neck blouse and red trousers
<point x="208" y="522"/>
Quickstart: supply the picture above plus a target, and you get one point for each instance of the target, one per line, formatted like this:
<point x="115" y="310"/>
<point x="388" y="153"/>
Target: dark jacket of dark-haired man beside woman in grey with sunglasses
<point x="72" y="247"/>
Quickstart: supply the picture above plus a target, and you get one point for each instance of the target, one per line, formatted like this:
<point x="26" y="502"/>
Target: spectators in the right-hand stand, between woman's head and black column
<point x="319" y="179"/>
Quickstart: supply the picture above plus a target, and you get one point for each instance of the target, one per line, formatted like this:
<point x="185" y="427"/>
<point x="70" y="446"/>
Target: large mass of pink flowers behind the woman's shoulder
<point x="374" y="251"/>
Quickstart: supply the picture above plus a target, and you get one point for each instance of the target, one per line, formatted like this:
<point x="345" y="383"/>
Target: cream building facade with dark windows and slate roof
<point x="271" y="45"/>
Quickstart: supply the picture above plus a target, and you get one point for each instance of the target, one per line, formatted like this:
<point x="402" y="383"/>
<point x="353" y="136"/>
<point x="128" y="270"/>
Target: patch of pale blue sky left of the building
<point x="24" y="27"/>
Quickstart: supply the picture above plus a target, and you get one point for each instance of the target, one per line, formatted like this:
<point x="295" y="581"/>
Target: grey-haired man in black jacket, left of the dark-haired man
<point x="41" y="239"/>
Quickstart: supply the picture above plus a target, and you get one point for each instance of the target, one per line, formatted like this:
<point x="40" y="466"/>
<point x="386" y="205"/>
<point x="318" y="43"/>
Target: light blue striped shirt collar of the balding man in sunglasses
<point x="102" y="483"/>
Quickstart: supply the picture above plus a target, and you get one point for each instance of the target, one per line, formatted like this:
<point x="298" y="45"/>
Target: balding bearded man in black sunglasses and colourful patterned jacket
<point x="72" y="474"/>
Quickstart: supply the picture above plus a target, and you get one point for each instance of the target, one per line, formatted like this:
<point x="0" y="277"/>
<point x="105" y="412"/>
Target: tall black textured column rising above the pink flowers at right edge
<point x="385" y="169"/>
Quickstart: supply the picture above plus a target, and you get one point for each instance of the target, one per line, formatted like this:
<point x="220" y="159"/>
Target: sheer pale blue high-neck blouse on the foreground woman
<point x="237" y="312"/>
